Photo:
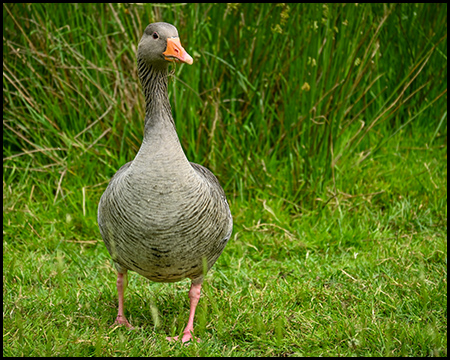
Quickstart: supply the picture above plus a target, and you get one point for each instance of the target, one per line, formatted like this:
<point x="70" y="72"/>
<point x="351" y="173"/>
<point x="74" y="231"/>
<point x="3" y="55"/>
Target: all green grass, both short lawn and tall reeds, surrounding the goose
<point x="326" y="125"/>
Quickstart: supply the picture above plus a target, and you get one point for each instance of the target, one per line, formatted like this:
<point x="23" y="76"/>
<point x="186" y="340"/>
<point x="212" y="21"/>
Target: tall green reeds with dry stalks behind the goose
<point x="282" y="99"/>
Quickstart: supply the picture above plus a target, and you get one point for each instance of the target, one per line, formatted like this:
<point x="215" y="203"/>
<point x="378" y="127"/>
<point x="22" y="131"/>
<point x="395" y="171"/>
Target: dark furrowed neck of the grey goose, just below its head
<point x="154" y="85"/>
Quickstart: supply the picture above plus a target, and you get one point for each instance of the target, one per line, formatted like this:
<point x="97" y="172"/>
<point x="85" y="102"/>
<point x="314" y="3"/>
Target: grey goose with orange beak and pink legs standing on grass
<point x="162" y="216"/>
